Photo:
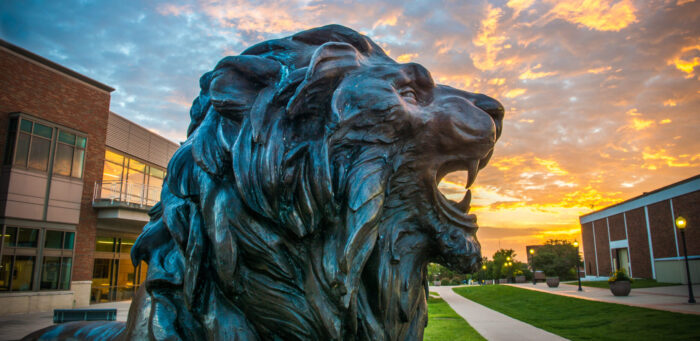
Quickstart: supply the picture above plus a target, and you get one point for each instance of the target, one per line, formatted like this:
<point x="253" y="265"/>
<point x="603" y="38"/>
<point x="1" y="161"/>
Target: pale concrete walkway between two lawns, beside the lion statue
<point x="491" y="324"/>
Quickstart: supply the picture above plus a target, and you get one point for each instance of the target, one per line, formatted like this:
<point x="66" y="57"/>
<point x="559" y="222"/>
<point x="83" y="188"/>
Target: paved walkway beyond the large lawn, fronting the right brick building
<point x="671" y="298"/>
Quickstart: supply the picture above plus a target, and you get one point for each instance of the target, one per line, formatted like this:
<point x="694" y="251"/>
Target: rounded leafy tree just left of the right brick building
<point x="557" y="258"/>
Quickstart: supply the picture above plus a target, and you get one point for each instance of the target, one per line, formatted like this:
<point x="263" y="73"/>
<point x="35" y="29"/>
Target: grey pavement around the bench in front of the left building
<point x="17" y="326"/>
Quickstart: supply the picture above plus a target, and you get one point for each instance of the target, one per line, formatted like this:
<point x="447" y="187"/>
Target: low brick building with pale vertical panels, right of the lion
<point x="639" y="235"/>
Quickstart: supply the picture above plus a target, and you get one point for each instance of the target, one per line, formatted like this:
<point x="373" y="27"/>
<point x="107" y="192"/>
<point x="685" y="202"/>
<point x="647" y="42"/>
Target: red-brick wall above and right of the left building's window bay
<point x="34" y="89"/>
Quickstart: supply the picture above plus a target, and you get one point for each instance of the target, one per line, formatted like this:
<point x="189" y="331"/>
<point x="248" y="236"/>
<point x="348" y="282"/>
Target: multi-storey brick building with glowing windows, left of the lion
<point x="75" y="186"/>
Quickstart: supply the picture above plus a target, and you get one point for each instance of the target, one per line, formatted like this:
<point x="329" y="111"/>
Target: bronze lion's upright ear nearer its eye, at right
<point x="329" y="63"/>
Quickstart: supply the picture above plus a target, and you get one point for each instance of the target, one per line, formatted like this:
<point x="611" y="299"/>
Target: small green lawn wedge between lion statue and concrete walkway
<point x="445" y="325"/>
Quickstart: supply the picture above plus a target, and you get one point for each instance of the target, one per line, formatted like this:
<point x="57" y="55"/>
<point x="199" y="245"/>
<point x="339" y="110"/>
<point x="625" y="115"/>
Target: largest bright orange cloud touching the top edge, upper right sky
<point x="601" y="15"/>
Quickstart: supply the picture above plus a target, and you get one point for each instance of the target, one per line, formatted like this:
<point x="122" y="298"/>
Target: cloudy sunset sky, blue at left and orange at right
<point x="602" y="97"/>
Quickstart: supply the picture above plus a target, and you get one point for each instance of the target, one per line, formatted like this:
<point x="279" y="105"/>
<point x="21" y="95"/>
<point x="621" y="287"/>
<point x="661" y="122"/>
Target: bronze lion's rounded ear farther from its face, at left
<point x="236" y="82"/>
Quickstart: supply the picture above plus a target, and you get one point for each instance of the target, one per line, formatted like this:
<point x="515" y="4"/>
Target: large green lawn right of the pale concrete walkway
<point x="579" y="319"/>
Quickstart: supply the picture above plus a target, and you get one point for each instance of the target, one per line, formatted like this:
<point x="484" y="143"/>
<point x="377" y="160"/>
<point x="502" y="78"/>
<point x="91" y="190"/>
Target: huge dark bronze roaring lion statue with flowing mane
<point x="304" y="203"/>
